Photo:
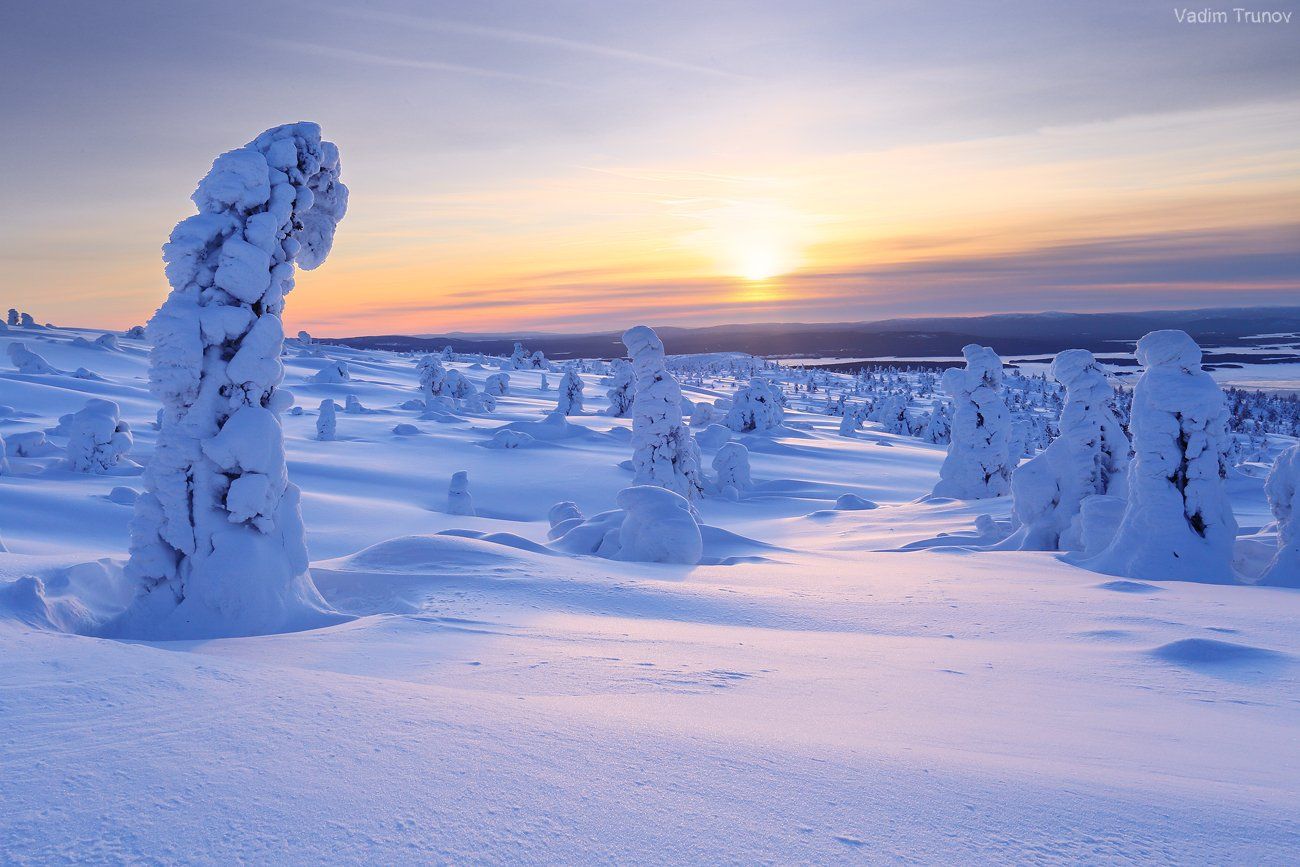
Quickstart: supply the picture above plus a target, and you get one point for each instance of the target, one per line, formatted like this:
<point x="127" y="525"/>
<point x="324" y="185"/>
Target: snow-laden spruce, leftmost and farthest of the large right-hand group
<point x="978" y="462"/>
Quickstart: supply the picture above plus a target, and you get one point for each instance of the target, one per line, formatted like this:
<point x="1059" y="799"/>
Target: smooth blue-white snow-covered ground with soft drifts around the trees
<point x="812" y="693"/>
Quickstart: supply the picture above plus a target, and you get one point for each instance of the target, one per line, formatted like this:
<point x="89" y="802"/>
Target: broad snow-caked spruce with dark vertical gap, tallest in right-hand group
<point x="1178" y="523"/>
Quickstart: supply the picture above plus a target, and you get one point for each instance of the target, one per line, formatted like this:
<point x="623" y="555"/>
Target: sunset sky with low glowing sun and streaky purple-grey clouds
<point x="577" y="166"/>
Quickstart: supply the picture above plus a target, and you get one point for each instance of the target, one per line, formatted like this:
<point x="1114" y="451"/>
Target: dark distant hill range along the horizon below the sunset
<point x="1008" y="333"/>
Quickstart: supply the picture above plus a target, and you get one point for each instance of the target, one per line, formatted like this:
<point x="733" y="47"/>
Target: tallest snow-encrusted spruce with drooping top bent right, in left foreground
<point x="218" y="544"/>
